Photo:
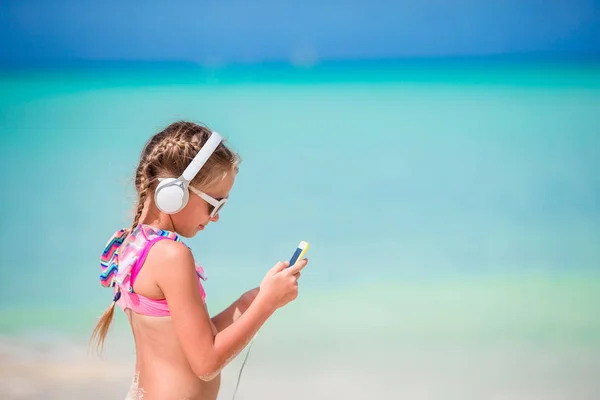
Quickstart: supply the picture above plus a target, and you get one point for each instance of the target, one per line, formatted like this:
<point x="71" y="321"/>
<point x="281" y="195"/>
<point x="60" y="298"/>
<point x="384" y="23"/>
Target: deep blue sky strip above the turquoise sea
<point x="48" y="31"/>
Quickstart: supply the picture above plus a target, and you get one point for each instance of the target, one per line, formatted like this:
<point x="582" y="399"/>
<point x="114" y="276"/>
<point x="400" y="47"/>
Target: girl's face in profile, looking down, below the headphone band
<point x="197" y="213"/>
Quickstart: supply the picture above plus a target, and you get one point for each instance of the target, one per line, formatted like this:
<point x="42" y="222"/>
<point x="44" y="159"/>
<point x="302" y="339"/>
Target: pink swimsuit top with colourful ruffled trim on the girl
<point x="121" y="266"/>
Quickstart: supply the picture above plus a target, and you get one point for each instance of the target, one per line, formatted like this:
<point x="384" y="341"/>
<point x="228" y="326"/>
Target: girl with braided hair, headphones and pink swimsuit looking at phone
<point x="180" y="349"/>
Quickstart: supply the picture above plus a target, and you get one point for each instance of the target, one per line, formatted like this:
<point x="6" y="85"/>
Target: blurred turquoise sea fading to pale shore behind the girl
<point x="453" y="211"/>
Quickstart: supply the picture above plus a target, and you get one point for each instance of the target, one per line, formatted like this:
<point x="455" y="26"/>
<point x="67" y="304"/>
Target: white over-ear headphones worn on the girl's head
<point x="172" y="194"/>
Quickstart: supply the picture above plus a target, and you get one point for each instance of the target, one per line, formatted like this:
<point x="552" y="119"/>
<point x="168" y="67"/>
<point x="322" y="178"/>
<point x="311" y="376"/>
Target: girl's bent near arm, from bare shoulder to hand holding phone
<point x="172" y="266"/>
